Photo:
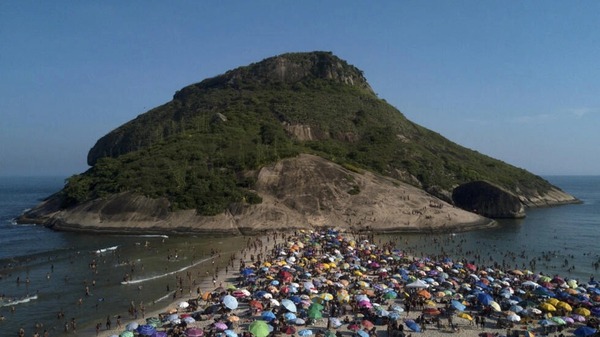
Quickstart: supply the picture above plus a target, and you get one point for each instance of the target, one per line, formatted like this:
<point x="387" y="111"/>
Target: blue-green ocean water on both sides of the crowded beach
<point x="44" y="273"/>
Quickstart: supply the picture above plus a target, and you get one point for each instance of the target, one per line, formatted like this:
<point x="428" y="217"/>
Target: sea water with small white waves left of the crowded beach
<point x="44" y="273"/>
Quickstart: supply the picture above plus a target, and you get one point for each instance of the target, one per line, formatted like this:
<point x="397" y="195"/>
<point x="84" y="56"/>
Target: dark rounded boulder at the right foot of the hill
<point x="488" y="200"/>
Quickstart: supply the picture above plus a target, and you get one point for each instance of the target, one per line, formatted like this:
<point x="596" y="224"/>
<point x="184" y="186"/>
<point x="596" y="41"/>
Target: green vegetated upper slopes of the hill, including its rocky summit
<point x="201" y="149"/>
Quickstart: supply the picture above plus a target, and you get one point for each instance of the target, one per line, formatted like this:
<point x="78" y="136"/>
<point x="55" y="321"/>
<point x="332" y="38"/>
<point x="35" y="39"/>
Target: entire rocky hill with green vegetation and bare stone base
<point x="295" y="140"/>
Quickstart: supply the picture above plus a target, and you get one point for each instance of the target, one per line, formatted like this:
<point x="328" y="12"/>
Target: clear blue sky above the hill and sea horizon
<point x="516" y="80"/>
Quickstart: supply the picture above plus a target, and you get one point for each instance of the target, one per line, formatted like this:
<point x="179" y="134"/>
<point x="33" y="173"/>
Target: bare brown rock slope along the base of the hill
<point x="302" y="192"/>
